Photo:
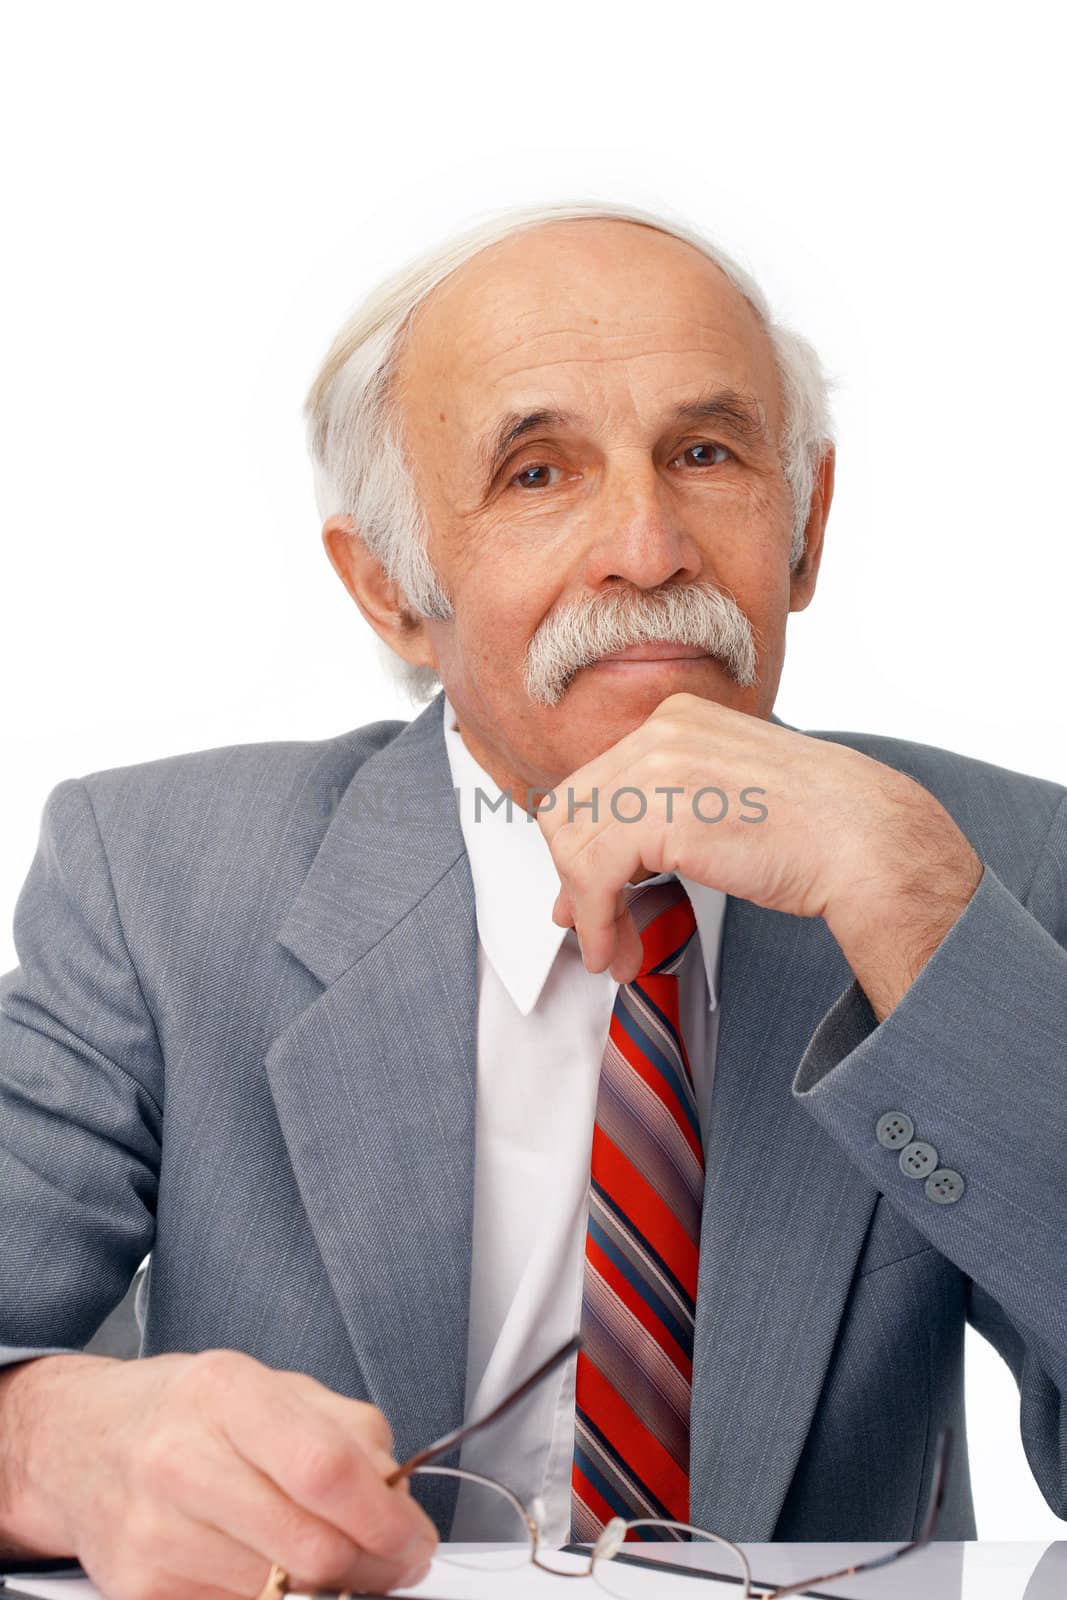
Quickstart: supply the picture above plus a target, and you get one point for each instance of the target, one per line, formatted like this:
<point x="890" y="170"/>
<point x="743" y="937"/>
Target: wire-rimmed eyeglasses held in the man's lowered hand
<point x="518" y="1532"/>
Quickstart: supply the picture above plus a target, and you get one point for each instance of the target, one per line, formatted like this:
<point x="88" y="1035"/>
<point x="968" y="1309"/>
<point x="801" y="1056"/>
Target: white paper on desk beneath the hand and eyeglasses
<point x="481" y="1578"/>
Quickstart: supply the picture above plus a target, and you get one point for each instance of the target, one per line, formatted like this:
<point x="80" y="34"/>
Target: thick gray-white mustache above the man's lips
<point x="698" y="615"/>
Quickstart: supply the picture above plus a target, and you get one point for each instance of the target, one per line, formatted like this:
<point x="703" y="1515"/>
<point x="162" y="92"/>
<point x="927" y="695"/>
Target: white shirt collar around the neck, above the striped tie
<point x="516" y="882"/>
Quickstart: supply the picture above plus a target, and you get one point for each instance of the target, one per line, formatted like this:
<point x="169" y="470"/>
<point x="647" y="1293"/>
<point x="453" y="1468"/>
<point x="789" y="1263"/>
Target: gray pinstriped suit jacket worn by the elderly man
<point x="242" y="1038"/>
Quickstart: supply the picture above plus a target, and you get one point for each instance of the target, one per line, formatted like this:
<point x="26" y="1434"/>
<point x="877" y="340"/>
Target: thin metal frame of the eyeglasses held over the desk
<point x="613" y="1535"/>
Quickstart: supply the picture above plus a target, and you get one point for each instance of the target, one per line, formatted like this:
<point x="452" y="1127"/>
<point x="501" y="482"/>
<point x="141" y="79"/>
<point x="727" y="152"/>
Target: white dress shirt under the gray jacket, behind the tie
<point x="543" y="1025"/>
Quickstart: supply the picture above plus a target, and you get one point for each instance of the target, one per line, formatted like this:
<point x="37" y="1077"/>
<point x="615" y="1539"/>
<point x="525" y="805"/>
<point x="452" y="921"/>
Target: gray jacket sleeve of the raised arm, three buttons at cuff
<point x="975" y="1055"/>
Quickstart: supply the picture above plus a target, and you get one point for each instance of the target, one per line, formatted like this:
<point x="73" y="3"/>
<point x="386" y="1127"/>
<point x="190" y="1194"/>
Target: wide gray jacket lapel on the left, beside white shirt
<point x="375" y="1081"/>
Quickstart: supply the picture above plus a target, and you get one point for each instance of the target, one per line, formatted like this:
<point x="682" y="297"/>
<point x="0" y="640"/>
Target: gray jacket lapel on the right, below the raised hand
<point x="785" y="1220"/>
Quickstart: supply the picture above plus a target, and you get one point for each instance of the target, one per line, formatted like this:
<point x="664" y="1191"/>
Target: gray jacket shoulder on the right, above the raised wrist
<point x="1005" y="814"/>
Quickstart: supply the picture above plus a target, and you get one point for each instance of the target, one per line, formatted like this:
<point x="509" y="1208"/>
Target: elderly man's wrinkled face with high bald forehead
<point x="617" y="327"/>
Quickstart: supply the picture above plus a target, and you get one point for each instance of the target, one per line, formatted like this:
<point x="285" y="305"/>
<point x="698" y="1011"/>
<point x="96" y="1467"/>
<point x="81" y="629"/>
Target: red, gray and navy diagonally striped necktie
<point x="642" y="1246"/>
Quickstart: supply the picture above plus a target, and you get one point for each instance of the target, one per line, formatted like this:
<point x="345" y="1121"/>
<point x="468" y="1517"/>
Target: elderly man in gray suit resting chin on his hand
<point x="593" y="998"/>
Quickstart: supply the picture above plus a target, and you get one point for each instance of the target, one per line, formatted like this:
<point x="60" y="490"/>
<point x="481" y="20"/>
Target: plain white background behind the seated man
<point x="196" y="198"/>
